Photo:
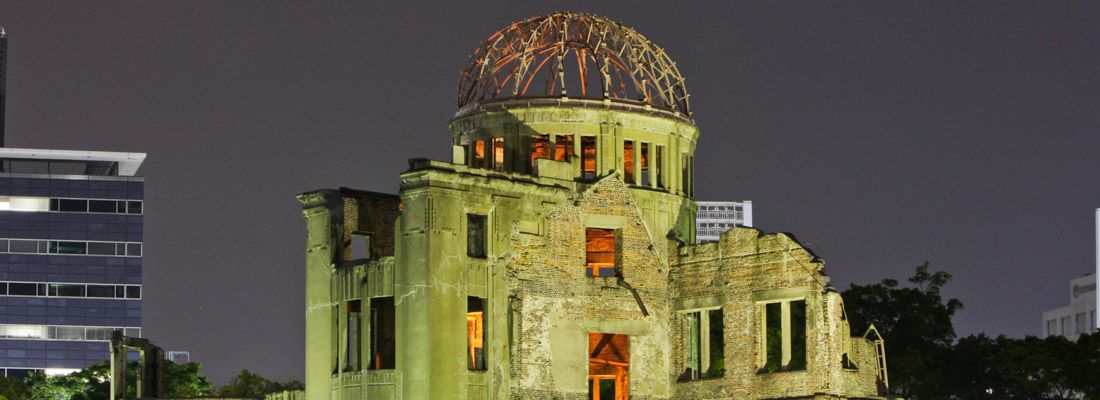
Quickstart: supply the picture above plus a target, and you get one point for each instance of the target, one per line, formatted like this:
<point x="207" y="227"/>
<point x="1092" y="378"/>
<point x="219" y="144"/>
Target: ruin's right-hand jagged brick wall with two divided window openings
<point x="745" y="273"/>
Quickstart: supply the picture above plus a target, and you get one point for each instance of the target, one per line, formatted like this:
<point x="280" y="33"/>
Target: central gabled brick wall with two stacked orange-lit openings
<point x="556" y="305"/>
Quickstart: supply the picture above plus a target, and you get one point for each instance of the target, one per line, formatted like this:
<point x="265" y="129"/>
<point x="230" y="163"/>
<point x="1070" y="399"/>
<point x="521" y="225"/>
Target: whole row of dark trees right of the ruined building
<point x="927" y="361"/>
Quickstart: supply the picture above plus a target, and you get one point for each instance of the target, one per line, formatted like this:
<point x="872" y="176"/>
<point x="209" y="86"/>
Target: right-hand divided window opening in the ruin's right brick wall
<point x="784" y="337"/>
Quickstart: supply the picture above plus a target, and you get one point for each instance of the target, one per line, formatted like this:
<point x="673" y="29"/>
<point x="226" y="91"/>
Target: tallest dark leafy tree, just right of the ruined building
<point x="917" y="325"/>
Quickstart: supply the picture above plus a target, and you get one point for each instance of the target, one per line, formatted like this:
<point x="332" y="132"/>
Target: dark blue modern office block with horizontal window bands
<point x="71" y="257"/>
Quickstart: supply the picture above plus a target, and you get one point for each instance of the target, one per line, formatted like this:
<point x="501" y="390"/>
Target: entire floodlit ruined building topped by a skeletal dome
<point x="555" y="257"/>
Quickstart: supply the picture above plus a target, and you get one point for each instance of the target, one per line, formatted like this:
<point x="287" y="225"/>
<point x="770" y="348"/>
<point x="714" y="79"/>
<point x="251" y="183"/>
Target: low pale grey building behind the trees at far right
<point x="1080" y="316"/>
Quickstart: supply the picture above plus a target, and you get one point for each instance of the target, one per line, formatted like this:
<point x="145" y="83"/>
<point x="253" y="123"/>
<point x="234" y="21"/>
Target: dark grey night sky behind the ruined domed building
<point x="883" y="135"/>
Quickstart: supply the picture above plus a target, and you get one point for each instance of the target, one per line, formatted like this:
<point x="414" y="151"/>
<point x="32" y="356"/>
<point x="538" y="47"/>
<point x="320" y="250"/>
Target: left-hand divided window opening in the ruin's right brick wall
<point x="705" y="345"/>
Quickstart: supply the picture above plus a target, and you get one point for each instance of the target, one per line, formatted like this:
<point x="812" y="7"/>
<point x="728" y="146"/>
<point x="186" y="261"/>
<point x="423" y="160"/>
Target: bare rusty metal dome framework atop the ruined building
<point x="628" y="66"/>
